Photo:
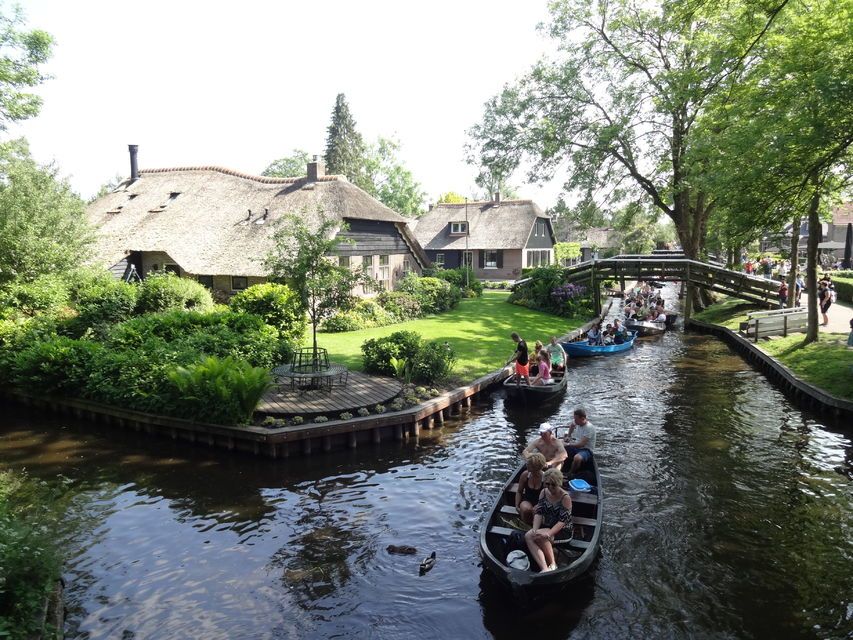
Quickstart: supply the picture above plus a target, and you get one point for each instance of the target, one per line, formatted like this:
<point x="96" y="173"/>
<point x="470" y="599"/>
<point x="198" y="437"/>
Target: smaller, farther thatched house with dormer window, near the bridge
<point x="497" y="238"/>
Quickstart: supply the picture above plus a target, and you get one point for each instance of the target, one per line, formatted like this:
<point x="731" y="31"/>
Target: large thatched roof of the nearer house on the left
<point x="205" y="228"/>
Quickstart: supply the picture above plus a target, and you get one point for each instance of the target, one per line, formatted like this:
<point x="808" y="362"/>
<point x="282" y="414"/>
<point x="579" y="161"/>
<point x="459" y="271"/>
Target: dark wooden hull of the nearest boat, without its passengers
<point x="573" y="558"/>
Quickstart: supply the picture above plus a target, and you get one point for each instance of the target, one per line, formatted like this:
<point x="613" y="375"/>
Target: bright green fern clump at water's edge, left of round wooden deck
<point x="224" y="391"/>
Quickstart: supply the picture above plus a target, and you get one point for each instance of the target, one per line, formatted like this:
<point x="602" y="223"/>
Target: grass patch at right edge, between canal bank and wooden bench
<point x="827" y="364"/>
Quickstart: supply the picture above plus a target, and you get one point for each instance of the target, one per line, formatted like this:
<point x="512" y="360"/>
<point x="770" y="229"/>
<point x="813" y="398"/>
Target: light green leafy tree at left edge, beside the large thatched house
<point x="43" y="227"/>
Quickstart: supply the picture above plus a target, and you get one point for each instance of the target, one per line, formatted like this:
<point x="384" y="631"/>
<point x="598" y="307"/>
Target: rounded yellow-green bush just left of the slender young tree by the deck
<point x="278" y="305"/>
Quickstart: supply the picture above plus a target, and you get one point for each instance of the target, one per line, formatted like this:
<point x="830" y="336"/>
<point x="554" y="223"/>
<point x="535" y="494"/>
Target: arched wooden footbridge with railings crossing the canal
<point x="675" y="268"/>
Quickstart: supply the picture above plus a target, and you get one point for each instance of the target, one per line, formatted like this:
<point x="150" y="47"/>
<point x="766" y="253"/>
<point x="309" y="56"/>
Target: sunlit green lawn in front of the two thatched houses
<point x="478" y="330"/>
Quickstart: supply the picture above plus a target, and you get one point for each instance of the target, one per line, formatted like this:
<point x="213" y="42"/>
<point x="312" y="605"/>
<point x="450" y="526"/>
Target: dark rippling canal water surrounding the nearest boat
<point x="728" y="514"/>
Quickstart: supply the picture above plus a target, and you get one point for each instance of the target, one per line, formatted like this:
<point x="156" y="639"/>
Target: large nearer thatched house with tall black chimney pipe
<point x="218" y="225"/>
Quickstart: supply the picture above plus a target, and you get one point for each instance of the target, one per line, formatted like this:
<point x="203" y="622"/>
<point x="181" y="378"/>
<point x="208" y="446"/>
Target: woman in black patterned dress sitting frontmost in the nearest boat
<point x="551" y="522"/>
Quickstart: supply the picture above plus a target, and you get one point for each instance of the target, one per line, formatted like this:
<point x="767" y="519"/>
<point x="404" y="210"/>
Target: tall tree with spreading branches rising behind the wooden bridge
<point x="617" y="107"/>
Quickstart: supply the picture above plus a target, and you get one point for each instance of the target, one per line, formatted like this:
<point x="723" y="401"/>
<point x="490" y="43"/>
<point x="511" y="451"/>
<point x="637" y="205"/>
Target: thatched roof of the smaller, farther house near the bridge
<point x="491" y="225"/>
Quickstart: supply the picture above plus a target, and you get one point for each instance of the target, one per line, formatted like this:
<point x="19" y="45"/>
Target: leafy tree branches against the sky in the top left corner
<point x="21" y="54"/>
